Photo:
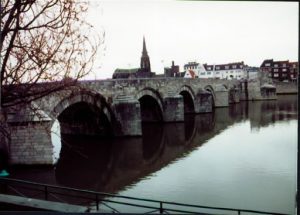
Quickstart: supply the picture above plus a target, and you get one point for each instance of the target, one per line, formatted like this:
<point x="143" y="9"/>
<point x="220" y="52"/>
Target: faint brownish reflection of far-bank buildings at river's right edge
<point x="263" y="113"/>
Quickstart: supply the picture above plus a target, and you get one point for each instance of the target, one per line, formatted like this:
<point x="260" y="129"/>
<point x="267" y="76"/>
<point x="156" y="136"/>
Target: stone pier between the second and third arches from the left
<point x="173" y="109"/>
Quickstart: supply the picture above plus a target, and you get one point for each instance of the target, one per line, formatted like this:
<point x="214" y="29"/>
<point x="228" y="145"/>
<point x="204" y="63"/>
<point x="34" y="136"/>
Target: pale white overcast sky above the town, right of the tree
<point x="212" y="32"/>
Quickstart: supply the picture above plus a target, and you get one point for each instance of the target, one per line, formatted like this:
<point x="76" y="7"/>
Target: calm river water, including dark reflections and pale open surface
<point x="244" y="156"/>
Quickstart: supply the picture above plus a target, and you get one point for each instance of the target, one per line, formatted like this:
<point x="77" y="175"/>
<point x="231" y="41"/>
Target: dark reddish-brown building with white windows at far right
<point x="280" y="70"/>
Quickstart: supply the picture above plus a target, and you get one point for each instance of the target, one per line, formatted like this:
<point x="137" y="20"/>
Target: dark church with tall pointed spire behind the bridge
<point x="143" y="72"/>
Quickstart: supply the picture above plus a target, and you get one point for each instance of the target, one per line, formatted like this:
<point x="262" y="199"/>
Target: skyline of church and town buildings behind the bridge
<point x="278" y="71"/>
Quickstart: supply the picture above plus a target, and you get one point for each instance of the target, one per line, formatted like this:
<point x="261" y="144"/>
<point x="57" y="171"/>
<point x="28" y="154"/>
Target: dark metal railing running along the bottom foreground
<point x="101" y="199"/>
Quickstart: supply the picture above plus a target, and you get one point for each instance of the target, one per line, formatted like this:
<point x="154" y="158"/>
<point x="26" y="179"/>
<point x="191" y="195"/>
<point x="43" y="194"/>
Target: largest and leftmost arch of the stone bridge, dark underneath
<point x="84" y="112"/>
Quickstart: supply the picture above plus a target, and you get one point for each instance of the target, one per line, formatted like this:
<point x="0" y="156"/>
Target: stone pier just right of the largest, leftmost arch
<point x="128" y="113"/>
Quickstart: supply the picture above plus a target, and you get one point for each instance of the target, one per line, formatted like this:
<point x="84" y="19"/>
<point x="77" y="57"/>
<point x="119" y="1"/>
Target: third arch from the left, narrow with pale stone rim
<point x="188" y="98"/>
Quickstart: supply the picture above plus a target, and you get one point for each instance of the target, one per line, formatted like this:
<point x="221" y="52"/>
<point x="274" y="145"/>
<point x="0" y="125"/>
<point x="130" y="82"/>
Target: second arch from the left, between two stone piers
<point x="151" y="105"/>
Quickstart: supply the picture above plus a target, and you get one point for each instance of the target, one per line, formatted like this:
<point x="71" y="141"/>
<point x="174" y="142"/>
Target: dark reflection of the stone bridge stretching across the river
<point x="109" y="166"/>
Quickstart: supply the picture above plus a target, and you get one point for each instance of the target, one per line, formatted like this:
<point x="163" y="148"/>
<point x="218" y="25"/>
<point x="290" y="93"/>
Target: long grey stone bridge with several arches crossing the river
<point x="117" y="108"/>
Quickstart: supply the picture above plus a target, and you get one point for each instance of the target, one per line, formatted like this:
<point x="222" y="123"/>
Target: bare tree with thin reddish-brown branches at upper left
<point x="42" y="41"/>
